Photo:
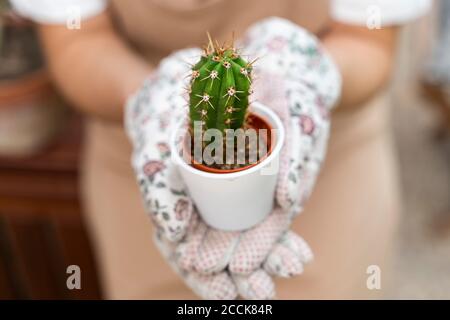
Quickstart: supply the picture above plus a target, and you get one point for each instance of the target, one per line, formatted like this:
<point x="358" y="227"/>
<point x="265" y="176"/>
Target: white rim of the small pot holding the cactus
<point x="262" y="111"/>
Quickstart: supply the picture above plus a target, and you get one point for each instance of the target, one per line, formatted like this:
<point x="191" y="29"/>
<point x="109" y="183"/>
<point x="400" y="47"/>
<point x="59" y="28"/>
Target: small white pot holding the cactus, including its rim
<point x="238" y="200"/>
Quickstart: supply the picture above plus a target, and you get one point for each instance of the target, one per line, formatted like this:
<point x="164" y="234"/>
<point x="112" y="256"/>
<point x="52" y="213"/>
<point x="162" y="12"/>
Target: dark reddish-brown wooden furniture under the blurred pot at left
<point x="41" y="226"/>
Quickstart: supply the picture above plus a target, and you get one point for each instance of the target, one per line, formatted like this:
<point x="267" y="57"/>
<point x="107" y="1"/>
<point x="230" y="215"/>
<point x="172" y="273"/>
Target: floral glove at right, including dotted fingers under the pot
<point x="303" y="104"/>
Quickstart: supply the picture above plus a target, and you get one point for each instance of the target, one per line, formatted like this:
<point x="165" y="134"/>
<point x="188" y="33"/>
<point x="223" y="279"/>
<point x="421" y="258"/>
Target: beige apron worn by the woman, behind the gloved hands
<point x="349" y="222"/>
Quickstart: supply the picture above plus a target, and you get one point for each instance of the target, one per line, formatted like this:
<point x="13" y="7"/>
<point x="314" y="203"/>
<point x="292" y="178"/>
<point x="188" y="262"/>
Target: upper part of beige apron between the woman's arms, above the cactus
<point x="155" y="28"/>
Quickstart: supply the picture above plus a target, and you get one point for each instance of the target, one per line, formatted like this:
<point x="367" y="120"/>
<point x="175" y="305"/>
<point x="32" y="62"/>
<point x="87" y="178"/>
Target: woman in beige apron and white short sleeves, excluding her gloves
<point x="350" y="219"/>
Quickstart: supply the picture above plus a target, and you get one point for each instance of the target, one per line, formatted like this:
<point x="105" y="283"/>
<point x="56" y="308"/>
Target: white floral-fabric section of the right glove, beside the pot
<point x="308" y="79"/>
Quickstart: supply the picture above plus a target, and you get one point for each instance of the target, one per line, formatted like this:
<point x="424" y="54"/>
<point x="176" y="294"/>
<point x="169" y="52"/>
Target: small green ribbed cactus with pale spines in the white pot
<point x="220" y="88"/>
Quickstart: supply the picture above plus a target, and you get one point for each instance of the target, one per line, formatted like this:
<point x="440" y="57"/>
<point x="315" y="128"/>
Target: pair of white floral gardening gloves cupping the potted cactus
<point x="303" y="103"/>
